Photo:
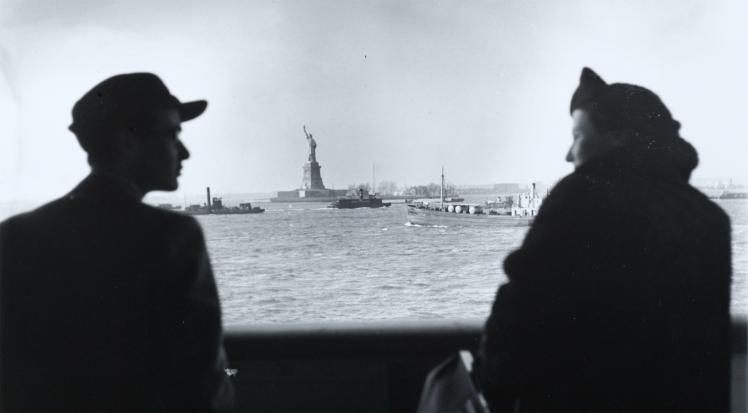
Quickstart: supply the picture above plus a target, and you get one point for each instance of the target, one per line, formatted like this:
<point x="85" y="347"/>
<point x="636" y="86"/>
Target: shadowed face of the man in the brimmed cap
<point x="158" y="159"/>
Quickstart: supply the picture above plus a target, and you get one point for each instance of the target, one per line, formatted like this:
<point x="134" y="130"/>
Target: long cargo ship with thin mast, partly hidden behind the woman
<point x="505" y="211"/>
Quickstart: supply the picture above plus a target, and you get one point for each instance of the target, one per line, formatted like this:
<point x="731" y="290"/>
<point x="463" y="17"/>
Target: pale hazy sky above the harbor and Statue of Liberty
<point x="480" y="87"/>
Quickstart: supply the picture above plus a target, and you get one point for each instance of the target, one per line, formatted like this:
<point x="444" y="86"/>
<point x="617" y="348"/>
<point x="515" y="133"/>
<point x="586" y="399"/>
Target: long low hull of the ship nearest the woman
<point x="424" y="216"/>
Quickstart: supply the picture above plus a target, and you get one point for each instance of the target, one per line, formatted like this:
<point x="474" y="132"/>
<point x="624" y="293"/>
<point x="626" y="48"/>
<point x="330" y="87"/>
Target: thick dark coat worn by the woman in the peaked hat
<point x="617" y="300"/>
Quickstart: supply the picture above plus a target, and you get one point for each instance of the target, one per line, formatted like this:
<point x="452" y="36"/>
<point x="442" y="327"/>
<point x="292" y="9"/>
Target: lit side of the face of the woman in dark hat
<point x="588" y="142"/>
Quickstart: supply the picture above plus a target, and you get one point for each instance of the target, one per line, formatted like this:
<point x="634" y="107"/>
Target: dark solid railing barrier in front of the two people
<point x="366" y="367"/>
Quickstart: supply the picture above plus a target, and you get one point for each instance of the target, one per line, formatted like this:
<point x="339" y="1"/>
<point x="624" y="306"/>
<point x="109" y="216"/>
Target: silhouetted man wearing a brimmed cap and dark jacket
<point x="108" y="303"/>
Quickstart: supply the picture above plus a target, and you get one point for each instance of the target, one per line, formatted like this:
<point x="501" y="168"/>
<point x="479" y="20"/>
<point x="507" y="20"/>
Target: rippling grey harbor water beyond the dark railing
<point x="303" y="262"/>
